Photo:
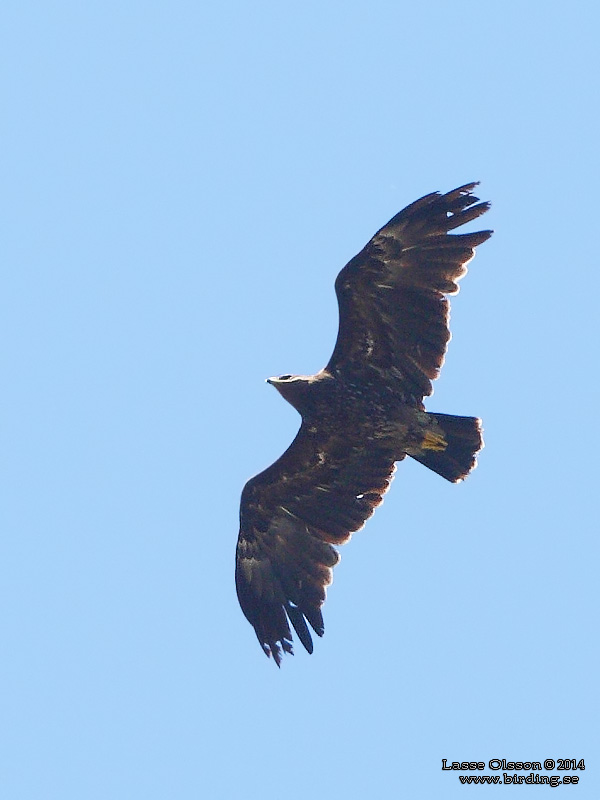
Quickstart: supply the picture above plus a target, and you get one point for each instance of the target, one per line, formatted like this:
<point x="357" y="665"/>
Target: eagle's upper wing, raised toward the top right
<point x="393" y="312"/>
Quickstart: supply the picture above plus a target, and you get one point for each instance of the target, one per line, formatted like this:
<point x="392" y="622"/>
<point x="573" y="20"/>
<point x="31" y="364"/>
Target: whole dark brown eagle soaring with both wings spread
<point x="361" y="414"/>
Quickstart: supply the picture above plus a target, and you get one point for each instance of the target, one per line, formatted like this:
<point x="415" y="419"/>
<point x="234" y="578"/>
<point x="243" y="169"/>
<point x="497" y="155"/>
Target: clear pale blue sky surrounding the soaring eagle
<point x="181" y="183"/>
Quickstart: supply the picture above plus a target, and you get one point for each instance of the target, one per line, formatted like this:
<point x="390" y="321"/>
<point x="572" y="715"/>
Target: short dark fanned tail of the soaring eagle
<point x="457" y="442"/>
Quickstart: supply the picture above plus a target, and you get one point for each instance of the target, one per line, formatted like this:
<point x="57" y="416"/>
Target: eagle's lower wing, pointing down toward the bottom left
<point x="324" y="487"/>
